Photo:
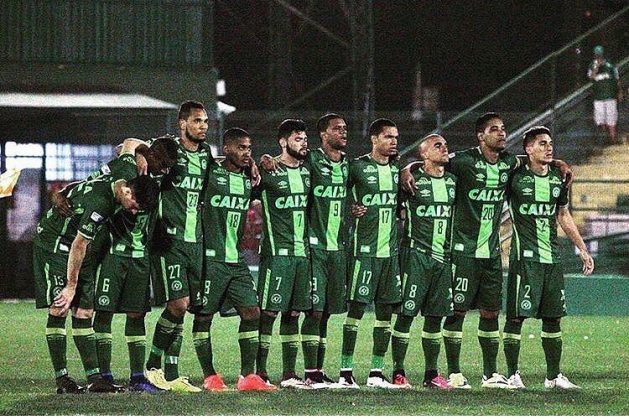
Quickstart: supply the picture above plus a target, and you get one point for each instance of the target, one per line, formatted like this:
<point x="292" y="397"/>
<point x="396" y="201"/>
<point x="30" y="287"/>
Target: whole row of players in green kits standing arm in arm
<point x="168" y="214"/>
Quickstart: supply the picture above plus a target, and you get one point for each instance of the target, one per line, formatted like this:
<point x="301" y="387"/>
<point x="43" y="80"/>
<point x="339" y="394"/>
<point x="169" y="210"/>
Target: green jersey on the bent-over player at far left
<point x="93" y="204"/>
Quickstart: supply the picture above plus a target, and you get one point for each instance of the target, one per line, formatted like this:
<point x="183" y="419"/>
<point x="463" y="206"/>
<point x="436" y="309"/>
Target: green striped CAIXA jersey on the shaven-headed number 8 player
<point x="429" y="215"/>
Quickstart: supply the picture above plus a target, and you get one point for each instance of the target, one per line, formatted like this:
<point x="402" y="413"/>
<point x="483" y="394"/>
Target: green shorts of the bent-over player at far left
<point x="51" y="274"/>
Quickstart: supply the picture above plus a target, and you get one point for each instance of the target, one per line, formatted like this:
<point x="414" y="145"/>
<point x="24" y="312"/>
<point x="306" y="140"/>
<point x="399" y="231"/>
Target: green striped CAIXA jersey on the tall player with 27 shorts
<point x="178" y="209"/>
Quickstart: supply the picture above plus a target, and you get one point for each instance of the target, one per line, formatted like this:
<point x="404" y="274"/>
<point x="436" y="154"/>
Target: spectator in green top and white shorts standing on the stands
<point x="607" y="92"/>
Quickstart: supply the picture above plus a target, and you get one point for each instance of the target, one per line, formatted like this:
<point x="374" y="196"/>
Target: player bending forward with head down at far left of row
<point x="64" y="269"/>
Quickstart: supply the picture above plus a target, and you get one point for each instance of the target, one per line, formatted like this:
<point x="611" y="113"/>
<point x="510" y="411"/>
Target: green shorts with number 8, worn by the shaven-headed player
<point x="426" y="284"/>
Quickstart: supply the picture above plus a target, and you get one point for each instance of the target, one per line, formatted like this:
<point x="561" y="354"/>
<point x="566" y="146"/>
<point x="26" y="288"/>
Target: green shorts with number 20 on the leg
<point x="477" y="283"/>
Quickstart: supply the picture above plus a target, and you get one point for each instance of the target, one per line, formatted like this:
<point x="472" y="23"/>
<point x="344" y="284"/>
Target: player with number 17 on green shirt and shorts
<point x="373" y="179"/>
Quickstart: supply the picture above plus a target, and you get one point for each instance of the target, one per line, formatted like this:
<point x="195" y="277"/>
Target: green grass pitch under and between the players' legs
<point x="599" y="363"/>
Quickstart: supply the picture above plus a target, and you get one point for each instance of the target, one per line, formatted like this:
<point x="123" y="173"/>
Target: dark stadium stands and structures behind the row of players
<point x="77" y="77"/>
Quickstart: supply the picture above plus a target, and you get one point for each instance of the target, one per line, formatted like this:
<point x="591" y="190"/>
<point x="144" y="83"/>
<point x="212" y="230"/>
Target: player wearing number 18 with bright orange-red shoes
<point x="226" y="198"/>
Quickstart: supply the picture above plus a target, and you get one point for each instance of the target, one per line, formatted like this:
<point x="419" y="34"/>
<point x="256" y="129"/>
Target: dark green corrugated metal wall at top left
<point x="134" y="32"/>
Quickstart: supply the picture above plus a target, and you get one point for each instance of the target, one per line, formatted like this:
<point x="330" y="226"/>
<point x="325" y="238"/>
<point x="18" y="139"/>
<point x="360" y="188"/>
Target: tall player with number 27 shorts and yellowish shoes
<point x="177" y="251"/>
